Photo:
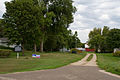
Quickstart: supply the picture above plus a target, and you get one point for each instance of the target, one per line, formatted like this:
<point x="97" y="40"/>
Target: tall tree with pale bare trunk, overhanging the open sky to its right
<point x="62" y="10"/>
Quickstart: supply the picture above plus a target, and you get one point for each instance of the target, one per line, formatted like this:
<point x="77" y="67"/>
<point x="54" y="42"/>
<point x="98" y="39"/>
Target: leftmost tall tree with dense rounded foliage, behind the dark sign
<point x="20" y="21"/>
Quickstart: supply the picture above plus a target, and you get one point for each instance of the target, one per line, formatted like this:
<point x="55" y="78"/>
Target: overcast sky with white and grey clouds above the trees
<point x="90" y="14"/>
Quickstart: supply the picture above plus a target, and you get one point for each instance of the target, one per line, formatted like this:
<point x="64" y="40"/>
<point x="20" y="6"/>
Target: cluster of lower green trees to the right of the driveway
<point x="104" y="40"/>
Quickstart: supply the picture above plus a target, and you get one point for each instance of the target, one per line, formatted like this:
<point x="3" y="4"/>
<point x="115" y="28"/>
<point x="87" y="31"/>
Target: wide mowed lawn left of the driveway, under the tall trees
<point x="27" y="63"/>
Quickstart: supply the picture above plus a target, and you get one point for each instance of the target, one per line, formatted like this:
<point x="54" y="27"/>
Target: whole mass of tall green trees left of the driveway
<point x="40" y="22"/>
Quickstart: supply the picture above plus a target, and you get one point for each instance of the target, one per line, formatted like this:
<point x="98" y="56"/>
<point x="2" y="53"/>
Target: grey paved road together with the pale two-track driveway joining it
<point x="81" y="70"/>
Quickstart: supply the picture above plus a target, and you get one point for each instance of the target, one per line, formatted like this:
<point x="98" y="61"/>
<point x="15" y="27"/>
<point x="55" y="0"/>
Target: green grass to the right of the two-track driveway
<point x="109" y="63"/>
